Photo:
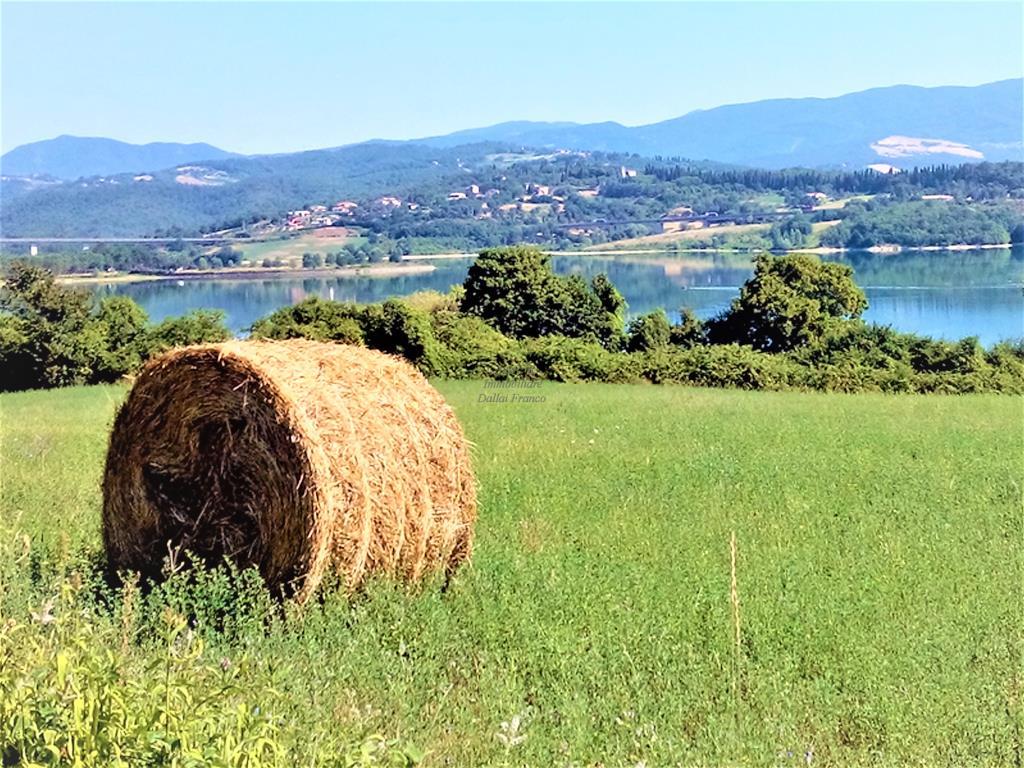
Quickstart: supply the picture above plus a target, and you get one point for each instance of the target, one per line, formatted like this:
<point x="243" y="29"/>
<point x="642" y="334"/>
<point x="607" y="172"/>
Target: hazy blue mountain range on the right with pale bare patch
<point x="901" y="125"/>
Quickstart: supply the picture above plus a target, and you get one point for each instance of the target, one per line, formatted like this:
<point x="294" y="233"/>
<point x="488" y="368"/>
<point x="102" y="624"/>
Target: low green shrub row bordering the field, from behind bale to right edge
<point x="443" y="343"/>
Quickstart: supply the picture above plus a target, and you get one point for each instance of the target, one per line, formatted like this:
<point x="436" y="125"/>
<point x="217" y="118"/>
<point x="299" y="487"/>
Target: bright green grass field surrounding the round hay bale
<point x="879" y="578"/>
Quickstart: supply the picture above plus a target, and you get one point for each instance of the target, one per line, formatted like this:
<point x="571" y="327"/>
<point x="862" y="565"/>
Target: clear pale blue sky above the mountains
<point x="276" y="77"/>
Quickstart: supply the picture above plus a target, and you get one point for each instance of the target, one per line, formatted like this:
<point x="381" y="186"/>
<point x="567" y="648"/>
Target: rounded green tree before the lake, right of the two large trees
<point x="790" y="302"/>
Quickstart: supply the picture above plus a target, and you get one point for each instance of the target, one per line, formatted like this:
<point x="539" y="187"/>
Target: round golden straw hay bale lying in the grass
<point x="298" y="458"/>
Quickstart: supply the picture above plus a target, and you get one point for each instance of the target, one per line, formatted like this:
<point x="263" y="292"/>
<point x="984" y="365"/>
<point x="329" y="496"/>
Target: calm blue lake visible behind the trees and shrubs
<point x="946" y="294"/>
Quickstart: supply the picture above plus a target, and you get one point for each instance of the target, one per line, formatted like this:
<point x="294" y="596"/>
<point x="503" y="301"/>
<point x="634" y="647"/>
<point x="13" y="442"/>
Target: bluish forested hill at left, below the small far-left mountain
<point x="194" y="199"/>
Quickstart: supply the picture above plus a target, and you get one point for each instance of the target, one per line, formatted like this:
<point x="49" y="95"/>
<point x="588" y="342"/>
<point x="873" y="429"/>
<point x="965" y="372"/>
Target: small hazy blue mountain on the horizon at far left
<point x="74" y="157"/>
